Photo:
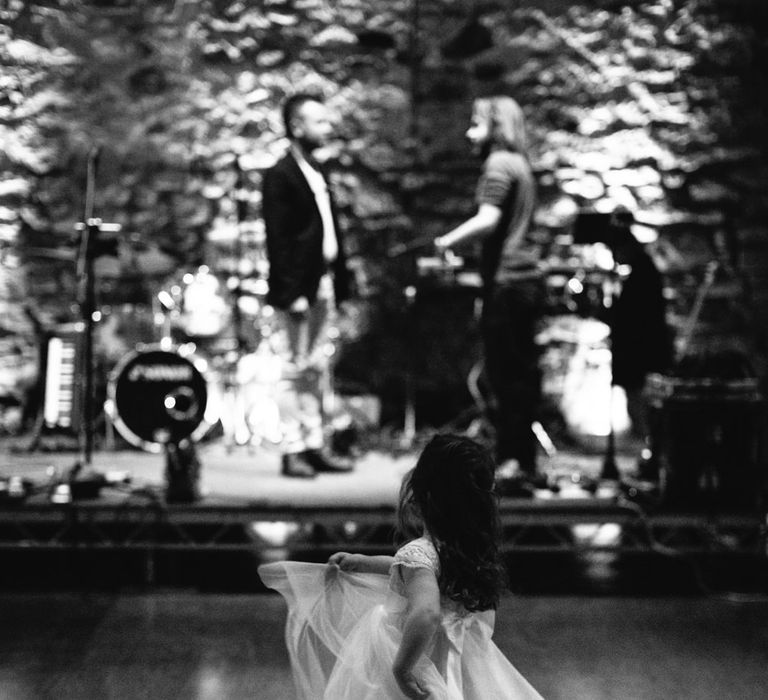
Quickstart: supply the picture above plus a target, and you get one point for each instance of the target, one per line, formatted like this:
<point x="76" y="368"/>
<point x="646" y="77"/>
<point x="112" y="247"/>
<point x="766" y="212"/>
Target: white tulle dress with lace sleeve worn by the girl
<point x="344" y="629"/>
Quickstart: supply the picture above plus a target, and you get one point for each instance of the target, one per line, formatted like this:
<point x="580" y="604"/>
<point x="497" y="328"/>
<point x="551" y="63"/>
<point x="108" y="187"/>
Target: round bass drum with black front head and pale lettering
<point x="156" y="396"/>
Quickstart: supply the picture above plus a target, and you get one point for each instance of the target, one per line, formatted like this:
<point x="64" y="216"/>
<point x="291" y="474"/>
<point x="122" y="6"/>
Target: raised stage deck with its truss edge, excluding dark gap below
<point x="246" y="505"/>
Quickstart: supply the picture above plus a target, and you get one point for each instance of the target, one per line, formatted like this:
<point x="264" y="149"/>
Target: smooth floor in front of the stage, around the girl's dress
<point x="188" y="646"/>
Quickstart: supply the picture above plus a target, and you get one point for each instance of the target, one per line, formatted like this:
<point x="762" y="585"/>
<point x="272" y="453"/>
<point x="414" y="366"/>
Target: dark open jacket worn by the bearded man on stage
<point x="294" y="230"/>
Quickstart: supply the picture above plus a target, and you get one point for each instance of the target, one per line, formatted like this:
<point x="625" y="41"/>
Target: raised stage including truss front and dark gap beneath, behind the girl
<point x="250" y="513"/>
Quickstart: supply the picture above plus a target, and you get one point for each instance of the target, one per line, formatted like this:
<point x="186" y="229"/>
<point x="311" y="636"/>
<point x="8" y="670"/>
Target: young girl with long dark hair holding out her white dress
<point x="419" y="624"/>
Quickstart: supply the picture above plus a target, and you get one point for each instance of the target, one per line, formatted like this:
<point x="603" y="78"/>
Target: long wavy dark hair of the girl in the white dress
<point x="450" y="490"/>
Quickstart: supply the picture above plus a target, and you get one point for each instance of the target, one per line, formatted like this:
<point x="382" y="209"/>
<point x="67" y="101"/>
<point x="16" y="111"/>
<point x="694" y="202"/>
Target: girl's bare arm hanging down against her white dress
<point x="421" y="620"/>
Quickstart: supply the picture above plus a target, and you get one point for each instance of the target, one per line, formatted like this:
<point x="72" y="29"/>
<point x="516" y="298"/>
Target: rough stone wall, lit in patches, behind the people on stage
<point x="655" y="105"/>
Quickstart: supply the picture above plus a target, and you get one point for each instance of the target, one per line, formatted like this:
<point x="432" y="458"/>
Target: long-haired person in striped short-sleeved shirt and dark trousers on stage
<point x="513" y="280"/>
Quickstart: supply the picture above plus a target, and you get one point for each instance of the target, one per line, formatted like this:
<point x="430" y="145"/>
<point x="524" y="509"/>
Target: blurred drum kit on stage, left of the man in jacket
<point x="216" y="359"/>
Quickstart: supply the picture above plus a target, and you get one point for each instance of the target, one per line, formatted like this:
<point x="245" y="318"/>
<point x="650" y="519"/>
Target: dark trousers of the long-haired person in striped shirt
<point x="511" y="314"/>
